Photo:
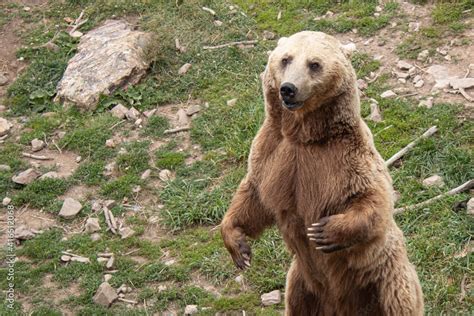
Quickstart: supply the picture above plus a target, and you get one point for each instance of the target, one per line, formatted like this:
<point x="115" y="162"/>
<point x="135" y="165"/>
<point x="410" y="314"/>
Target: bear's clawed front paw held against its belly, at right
<point x="327" y="235"/>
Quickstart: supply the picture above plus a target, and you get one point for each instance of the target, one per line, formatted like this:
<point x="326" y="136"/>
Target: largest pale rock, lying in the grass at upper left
<point x="108" y="57"/>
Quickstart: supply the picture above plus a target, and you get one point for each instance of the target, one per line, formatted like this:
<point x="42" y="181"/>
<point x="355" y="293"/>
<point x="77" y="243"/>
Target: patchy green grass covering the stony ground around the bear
<point x="195" y="201"/>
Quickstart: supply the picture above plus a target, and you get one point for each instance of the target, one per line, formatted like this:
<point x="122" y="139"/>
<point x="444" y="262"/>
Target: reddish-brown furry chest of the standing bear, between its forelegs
<point x="304" y="182"/>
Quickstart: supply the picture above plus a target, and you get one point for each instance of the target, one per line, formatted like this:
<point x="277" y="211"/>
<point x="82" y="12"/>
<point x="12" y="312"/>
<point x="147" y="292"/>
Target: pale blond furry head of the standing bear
<point x="306" y="70"/>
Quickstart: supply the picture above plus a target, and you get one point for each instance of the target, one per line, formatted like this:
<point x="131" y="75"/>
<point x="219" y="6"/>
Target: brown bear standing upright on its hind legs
<point x="313" y="171"/>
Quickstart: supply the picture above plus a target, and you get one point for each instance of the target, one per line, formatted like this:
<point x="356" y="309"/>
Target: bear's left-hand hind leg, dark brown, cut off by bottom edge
<point x="298" y="299"/>
